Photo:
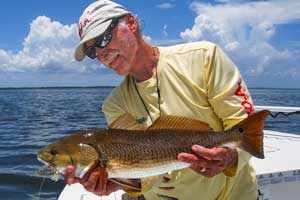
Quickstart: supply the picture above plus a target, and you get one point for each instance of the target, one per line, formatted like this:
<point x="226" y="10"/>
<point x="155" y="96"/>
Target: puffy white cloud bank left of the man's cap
<point x="49" y="47"/>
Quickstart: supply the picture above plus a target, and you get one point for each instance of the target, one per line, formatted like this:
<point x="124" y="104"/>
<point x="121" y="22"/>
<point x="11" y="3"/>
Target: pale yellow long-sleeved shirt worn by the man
<point x="195" y="80"/>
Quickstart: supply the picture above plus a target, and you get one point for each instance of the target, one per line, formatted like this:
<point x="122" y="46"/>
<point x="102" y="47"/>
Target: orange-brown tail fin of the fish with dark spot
<point x="252" y="130"/>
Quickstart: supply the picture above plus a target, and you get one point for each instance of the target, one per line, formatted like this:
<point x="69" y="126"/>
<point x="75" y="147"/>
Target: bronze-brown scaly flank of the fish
<point x="165" y="144"/>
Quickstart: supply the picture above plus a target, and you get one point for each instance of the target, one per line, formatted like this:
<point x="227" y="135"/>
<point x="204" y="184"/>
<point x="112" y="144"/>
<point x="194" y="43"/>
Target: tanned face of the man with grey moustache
<point x="120" y="52"/>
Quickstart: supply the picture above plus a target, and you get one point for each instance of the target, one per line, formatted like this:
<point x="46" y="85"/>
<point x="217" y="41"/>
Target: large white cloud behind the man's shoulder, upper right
<point x="246" y="30"/>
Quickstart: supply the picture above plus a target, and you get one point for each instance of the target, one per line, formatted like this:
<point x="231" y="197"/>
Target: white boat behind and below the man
<point x="278" y="175"/>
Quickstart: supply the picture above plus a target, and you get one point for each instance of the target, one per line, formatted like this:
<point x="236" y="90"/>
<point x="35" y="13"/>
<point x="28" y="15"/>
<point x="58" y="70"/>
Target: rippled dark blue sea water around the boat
<point x="32" y="118"/>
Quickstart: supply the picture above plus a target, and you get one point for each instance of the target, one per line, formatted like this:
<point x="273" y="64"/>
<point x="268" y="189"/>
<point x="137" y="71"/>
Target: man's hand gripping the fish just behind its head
<point x="91" y="181"/>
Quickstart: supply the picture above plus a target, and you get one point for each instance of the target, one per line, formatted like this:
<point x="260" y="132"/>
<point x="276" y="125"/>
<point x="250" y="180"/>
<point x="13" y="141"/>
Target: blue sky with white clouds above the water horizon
<point x="38" y="38"/>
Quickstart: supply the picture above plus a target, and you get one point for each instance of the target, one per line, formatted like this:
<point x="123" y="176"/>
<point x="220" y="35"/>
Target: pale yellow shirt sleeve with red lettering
<point x="228" y="96"/>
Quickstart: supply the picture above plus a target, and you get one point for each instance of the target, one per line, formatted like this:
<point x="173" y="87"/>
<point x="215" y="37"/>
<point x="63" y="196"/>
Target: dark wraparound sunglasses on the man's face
<point x="101" y="41"/>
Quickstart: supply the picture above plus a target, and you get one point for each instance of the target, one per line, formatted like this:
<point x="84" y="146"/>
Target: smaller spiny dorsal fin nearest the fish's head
<point x="126" y="121"/>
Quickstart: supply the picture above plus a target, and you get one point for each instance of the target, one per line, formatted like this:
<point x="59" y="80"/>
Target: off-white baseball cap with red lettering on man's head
<point x="95" y="20"/>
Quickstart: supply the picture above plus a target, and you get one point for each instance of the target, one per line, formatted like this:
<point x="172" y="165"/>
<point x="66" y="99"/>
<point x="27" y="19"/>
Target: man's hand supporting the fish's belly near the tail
<point x="210" y="161"/>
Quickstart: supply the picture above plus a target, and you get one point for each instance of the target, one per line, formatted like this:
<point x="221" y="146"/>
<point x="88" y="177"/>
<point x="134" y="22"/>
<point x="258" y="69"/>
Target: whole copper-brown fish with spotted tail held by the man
<point x="127" y="150"/>
